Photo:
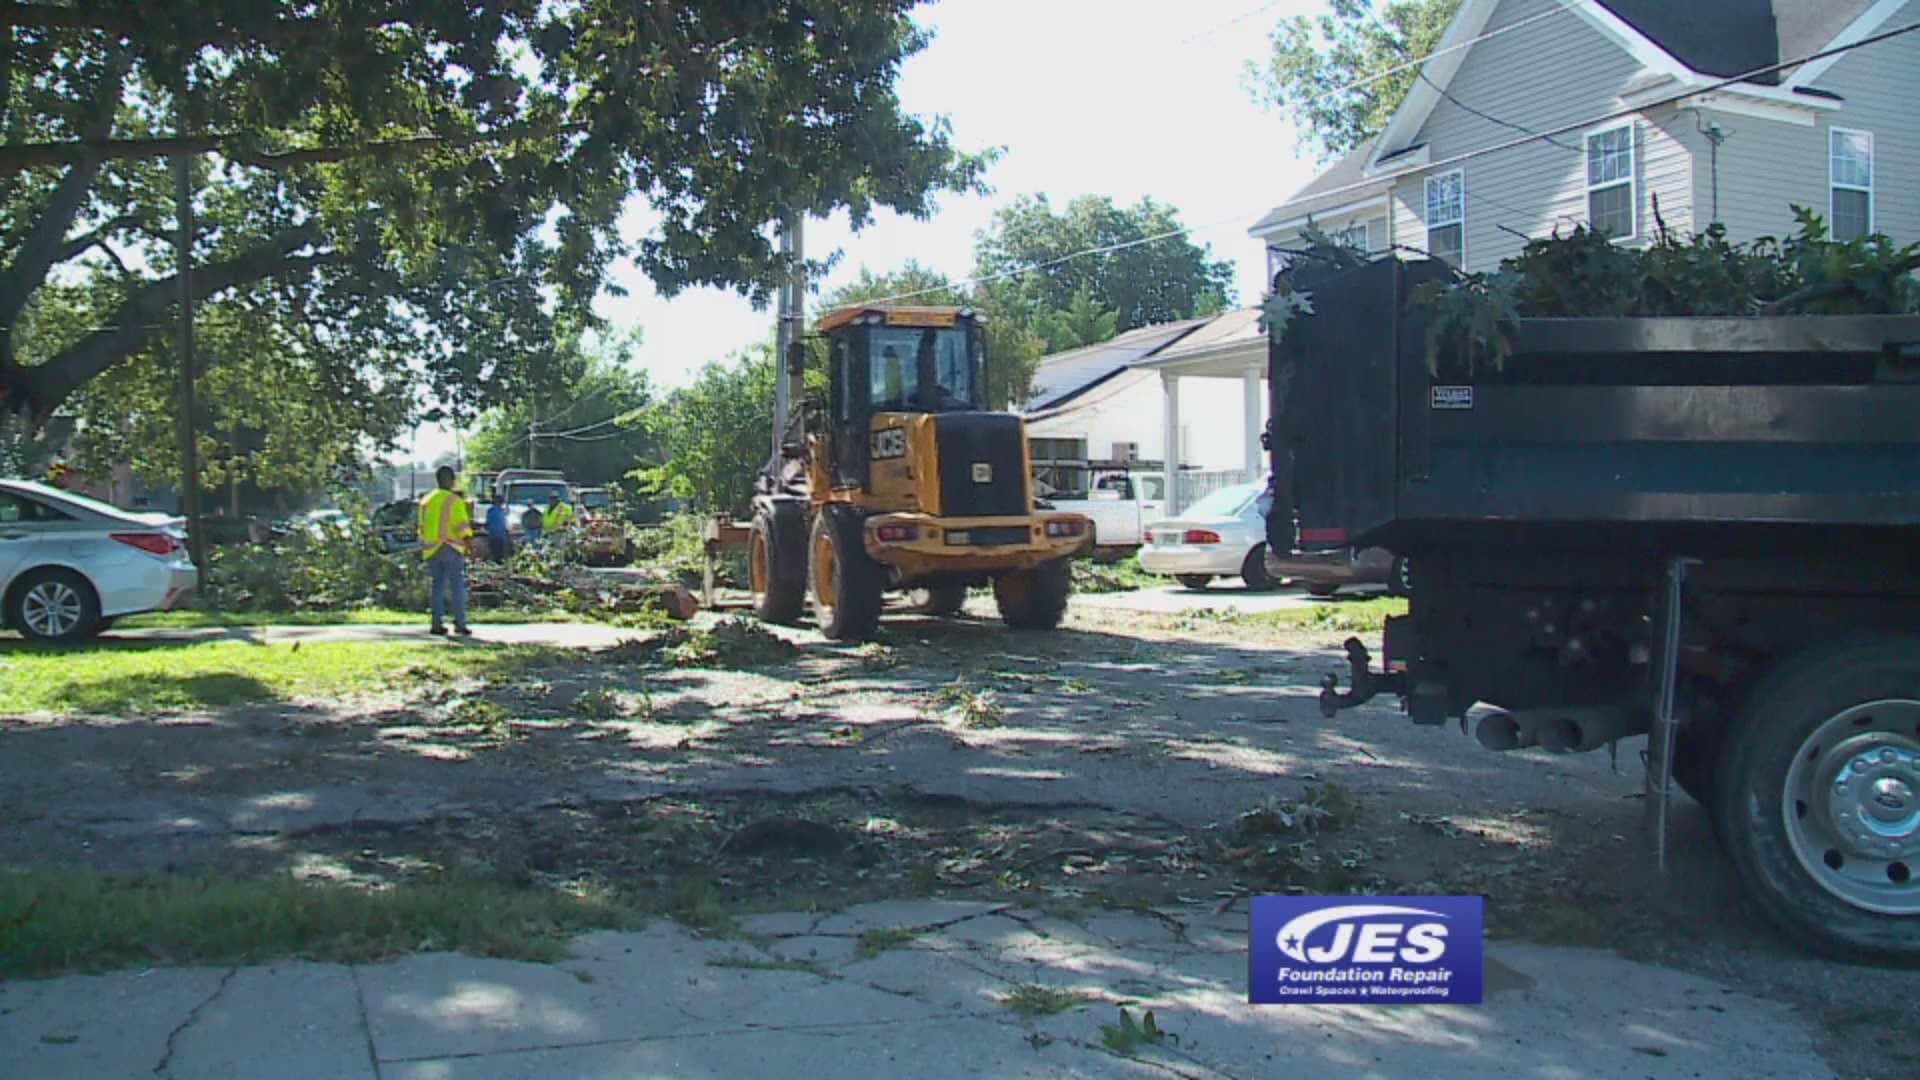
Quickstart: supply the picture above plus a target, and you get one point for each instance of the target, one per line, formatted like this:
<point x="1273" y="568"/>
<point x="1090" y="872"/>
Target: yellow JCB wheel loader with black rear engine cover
<point x="913" y="487"/>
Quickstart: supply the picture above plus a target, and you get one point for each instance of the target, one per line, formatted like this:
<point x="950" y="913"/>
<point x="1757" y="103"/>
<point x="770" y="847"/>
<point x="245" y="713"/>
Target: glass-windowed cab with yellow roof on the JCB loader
<point x="890" y="366"/>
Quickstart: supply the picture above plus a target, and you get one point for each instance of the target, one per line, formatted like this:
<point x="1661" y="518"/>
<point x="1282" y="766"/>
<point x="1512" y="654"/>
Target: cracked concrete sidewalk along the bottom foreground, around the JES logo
<point x="798" y="996"/>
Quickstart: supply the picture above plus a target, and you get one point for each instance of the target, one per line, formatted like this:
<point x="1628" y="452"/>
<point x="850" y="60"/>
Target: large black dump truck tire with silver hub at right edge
<point x="1817" y="798"/>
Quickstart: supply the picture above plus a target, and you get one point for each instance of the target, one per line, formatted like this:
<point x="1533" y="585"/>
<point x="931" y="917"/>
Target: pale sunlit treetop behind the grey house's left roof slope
<point x="1356" y="43"/>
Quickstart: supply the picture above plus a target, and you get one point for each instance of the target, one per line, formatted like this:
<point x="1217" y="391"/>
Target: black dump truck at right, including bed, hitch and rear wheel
<point x="1700" y="531"/>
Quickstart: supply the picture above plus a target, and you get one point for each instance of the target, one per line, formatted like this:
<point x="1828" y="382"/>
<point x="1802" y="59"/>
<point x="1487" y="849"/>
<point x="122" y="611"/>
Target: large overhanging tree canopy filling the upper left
<point x="421" y="191"/>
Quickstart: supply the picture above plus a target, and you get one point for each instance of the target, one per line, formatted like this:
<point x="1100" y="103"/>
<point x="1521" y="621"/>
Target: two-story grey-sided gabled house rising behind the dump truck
<point x="1629" y="114"/>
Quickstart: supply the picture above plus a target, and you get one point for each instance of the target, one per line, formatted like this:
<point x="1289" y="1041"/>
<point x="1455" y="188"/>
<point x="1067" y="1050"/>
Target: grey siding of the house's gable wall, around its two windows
<point x="1541" y="78"/>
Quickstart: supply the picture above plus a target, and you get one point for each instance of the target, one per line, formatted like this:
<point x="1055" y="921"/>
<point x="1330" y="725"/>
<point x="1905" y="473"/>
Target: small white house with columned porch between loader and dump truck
<point x="1188" y="399"/>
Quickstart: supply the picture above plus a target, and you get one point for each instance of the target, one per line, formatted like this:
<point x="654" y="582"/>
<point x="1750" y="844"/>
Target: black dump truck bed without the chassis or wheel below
<point x="1593" y="430"/>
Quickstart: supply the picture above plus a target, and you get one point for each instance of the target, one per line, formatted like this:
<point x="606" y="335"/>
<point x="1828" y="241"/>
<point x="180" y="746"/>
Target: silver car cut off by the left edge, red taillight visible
<point x="70" y="566"/>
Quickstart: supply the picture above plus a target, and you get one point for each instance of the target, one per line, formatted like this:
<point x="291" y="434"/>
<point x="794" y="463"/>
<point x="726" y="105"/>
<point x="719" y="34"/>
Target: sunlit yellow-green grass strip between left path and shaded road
<point x="151" y="677"/>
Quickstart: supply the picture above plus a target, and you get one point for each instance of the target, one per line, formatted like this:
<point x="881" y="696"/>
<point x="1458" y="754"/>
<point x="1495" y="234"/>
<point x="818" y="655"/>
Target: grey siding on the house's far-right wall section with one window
<point x="1771" y="166"/>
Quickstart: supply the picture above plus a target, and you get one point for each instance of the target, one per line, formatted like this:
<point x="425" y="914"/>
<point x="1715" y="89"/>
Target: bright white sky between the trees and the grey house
<point x="1088" y="97"/>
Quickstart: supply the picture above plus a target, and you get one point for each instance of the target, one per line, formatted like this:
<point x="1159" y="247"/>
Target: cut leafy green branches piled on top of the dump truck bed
<point x="1587" y="276"/>
